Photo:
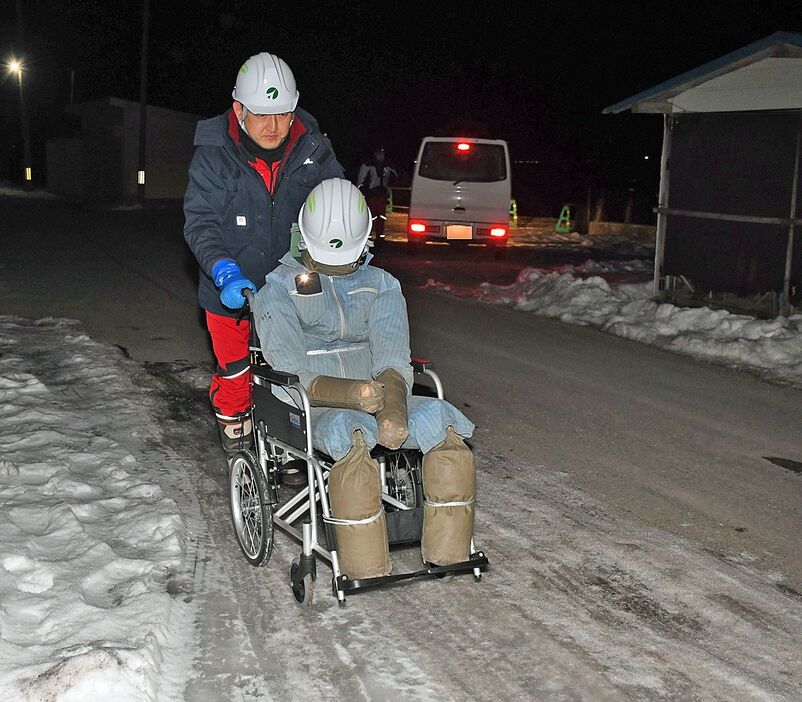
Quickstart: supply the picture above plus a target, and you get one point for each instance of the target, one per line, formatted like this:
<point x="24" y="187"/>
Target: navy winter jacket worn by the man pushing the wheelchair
<point x="228" y="210"/>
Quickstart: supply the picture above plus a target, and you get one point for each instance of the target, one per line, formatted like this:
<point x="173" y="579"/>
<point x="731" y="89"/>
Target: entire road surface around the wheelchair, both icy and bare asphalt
<point x="642" y="546"/>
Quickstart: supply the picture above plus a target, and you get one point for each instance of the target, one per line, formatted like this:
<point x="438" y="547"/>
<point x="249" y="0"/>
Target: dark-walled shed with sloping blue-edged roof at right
<point x="729" y="217"/>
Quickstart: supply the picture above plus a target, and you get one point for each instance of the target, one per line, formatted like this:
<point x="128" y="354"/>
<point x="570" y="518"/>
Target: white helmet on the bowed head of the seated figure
<point x="335" y="222"/>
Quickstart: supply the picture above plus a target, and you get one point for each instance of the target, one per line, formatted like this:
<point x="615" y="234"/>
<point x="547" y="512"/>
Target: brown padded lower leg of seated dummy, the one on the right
<point x="449" y="486"/>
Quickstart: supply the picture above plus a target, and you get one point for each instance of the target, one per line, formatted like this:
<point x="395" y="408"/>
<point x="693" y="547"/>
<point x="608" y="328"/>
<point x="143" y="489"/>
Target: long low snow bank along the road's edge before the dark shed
<point x="772" y="348"/>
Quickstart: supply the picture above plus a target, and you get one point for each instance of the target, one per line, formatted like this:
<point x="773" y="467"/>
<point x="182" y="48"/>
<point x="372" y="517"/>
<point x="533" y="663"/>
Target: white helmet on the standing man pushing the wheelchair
<point x="266" y="86"/>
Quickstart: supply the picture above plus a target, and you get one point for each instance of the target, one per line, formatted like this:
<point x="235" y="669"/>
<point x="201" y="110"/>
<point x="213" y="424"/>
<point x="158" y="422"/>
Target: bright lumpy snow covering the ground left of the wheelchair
<point x="88" y="540"/>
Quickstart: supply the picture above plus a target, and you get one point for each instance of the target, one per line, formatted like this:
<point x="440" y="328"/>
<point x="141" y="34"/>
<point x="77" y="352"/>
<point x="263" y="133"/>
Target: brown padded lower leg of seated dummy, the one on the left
<point x="358" y="517"/>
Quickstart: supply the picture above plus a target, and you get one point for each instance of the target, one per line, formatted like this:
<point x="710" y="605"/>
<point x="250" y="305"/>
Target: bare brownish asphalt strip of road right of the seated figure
<point x="665" y="440"/>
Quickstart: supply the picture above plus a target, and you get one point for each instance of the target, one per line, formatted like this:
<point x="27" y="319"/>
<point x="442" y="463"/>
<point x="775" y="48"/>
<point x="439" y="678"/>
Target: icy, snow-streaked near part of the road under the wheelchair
<point x="580" y="604"/>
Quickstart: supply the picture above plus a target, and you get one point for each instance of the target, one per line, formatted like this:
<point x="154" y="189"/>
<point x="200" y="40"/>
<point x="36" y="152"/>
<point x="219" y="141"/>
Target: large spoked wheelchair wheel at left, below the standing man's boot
<point x="251" y="512"/>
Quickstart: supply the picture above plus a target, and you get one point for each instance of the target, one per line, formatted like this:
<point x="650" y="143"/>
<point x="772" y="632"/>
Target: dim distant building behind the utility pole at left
<point x="101" y="162"/>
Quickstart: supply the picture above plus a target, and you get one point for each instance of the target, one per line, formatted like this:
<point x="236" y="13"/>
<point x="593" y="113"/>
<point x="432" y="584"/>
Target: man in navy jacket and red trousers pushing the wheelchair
<point x="252" y="169"/>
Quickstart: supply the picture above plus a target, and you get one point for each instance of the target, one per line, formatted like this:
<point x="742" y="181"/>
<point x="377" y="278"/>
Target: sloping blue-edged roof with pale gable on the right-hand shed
<point x="764" y="75"/>
